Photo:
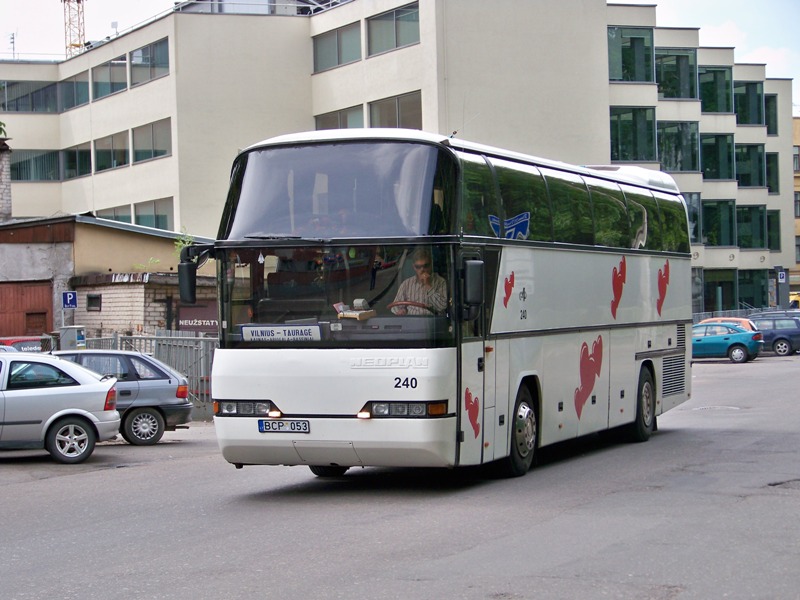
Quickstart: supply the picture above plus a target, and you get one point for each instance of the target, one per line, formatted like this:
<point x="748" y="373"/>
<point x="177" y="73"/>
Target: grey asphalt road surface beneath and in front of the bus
<point x="708" y="508"/>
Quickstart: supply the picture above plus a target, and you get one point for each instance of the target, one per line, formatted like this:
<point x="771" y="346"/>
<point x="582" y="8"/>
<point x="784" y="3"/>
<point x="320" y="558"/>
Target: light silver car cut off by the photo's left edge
<point x="47" y="402"/>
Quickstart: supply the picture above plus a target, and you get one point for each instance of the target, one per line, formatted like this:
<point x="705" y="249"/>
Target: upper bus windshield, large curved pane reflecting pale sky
<point x="342" y="189"/>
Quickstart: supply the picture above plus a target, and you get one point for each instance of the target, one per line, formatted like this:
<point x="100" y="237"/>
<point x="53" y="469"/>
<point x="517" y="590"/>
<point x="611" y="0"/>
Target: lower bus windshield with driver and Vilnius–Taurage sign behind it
<point x="368" y="296"/>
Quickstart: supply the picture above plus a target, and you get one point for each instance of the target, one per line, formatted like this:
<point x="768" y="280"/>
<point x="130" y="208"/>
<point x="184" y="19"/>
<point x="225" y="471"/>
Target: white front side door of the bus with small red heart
<point x="477" y="367"/>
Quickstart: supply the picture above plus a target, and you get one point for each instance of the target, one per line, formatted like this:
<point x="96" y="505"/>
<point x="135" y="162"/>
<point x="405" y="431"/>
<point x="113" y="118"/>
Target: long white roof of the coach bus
<point x="620" y="173"/>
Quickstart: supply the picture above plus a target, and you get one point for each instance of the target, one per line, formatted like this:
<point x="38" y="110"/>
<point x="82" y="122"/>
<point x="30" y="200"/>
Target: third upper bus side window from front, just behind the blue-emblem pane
<point x="573" y="222"/>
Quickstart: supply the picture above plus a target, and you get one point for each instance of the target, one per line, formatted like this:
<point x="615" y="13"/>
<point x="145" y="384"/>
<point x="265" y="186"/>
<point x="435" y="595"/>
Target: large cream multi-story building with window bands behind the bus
<point x="143" y="127"/>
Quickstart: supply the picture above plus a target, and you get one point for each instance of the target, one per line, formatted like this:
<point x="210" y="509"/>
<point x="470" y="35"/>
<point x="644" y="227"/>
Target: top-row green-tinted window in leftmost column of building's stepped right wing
<point x="630" y="54"/>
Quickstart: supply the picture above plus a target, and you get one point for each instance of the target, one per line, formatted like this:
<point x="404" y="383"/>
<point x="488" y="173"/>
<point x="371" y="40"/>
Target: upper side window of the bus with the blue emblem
<point x="526" y="205"/>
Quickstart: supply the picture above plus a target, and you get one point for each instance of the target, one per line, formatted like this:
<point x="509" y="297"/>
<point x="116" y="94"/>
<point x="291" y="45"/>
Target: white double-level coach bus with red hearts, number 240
<point x="398" y="298"/>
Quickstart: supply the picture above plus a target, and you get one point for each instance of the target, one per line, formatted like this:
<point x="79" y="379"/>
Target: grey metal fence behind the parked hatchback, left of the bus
<point x="191" y="356"/>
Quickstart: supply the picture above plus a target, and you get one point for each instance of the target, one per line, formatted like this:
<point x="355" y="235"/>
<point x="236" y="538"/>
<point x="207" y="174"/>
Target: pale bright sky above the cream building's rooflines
<point x="761" y="31"/>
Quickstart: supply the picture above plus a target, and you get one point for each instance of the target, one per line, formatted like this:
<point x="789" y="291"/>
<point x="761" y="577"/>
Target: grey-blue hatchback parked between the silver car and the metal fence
<point x="151" y="396"/>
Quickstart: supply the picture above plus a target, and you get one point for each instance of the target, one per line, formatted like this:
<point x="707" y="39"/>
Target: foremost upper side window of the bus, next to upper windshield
<point x="479" y="199"/>
